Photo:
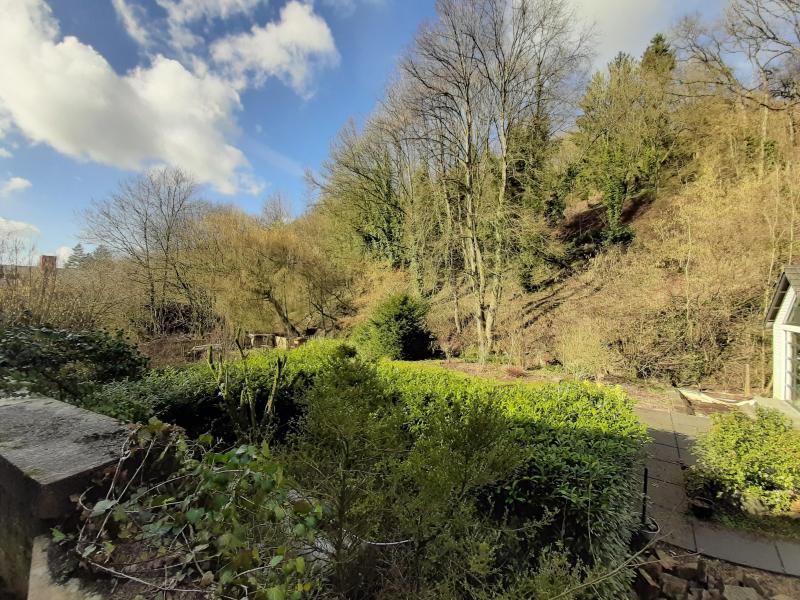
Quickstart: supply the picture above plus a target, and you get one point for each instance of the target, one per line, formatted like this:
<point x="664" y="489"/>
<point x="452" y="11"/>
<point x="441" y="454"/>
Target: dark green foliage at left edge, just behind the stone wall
<point x="66" y="364"/>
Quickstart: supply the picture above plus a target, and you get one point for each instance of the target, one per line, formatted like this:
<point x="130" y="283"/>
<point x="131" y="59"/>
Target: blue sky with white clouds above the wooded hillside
<point x="245" y="94"/>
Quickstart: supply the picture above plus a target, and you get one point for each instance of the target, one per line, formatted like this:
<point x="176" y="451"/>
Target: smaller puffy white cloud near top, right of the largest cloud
<point x="291" y="48"/>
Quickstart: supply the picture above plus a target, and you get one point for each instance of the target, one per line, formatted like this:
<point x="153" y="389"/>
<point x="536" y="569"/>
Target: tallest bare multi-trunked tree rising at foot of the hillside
<point x="475" y="75"/>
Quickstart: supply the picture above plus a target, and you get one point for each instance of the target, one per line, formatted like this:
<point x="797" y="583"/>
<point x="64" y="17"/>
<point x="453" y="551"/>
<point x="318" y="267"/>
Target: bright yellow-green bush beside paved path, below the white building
<point x="750" y="464"/>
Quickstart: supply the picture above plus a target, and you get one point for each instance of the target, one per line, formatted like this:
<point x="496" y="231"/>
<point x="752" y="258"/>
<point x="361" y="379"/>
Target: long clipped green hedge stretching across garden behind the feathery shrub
<point x="530" y="467"/>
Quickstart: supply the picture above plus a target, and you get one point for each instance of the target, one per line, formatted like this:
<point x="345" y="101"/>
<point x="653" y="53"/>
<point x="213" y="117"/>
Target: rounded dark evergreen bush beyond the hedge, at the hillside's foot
<point x="396" y="330"/>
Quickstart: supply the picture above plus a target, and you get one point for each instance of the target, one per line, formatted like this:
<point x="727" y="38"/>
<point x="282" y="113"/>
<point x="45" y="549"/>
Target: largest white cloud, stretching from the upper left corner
<point x="61" y="92"/>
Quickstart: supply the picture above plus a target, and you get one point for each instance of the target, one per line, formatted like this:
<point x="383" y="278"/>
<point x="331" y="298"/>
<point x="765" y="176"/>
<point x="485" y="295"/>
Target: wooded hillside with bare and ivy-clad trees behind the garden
<point x="630" y="222"/>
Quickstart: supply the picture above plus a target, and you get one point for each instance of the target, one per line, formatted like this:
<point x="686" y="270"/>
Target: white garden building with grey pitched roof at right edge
<point x="784" y="318"/>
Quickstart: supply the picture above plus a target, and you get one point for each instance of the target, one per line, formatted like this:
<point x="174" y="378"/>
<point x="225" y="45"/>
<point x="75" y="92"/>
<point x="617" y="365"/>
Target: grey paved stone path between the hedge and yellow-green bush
<point x="673" y="434"/>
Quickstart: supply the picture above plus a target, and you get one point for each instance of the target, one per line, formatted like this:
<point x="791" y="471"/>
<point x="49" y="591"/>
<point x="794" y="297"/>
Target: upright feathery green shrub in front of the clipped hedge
<point x="345" y="442"/>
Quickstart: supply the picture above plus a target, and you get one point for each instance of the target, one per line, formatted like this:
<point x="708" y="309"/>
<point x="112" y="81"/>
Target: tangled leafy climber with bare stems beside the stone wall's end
<point x="195" y="517"/>
